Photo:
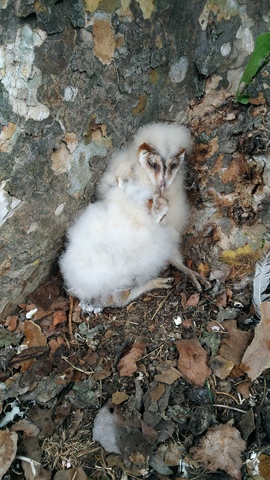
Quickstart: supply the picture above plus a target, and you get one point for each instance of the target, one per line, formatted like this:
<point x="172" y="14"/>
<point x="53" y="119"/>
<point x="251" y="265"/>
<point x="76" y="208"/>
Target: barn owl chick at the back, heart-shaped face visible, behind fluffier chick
<point x="154" y="161"/>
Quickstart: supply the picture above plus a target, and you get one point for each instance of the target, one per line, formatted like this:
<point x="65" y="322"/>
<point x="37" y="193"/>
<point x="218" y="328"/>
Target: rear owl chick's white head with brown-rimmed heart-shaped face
<point x="161" y="149"/>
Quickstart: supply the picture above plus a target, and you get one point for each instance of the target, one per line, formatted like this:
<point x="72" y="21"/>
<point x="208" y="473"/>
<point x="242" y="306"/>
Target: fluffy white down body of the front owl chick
<point x="115" y="244"/>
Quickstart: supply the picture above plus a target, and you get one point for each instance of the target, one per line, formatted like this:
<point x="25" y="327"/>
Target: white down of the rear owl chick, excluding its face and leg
<point x="167" y="139"/>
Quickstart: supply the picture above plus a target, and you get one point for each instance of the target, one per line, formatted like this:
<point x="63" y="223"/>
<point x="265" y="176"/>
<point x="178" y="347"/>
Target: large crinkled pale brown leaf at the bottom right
<point x="221" y="448"/>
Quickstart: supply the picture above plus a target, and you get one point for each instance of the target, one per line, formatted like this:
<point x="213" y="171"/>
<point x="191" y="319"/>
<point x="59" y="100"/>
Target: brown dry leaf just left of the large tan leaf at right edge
<point x="235" y="343"/>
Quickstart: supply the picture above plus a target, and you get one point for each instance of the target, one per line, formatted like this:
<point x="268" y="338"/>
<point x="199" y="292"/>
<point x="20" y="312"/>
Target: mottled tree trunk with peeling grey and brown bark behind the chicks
<point x="79" y="77"/>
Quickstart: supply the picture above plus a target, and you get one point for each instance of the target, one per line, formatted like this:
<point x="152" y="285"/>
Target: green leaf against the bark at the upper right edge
<point x="258" y="59"/>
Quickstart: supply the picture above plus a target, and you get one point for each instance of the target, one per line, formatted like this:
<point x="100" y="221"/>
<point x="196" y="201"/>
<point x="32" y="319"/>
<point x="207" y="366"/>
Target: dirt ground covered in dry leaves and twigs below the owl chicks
<point x="161" y="377"/>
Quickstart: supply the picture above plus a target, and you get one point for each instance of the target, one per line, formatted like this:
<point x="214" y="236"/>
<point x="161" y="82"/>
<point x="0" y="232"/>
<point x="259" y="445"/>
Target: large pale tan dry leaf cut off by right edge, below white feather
<point x="257" y="356"/>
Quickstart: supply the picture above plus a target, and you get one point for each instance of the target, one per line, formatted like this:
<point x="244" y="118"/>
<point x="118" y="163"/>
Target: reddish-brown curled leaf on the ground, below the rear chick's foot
<point x="192" y="361"/>
